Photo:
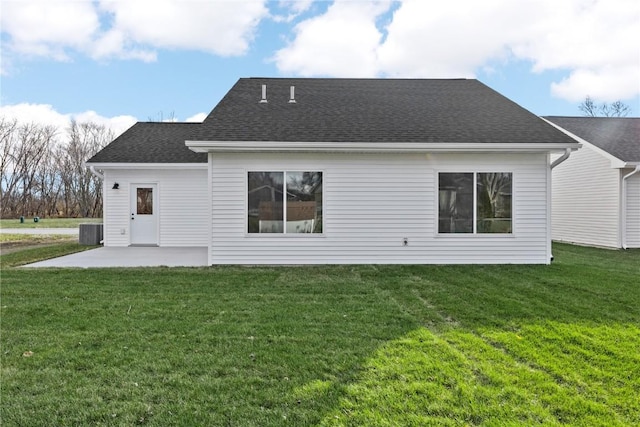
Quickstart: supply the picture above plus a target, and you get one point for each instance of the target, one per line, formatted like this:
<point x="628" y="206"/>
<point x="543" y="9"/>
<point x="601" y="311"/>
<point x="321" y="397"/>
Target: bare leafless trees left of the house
<point x="42" y="170"/>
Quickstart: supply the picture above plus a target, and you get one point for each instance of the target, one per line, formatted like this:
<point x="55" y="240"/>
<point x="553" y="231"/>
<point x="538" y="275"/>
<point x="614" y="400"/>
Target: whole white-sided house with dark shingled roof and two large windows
<point x="330" y="171"/>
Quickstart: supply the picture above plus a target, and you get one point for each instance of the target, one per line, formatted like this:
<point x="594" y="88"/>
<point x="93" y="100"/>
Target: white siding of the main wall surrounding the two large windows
<point x="371" y="203"/>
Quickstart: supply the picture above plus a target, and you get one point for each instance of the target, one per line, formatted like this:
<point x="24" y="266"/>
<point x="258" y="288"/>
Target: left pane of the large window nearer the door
<point x="265" y="198"/>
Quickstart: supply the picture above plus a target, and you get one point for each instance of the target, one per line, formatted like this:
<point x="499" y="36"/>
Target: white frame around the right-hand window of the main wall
<point x="474" y="234"/>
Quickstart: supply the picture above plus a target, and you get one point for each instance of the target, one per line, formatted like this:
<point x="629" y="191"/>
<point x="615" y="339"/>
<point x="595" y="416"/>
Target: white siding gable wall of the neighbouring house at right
<point x="586" y="200"/>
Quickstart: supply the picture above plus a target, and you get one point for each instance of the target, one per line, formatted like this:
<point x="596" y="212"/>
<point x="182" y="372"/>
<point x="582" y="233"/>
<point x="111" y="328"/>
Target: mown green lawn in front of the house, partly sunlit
<point x="331" y="346"/>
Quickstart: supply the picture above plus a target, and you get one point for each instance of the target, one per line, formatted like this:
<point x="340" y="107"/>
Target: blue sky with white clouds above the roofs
<point x="118" y="61"/>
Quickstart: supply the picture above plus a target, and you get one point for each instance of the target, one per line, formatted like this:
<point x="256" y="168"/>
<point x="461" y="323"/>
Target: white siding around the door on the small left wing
<point x="182" y="205"/>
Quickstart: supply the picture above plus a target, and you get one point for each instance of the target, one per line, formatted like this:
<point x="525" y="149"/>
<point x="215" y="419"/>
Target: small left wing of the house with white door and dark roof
<point x="150" y="160"/>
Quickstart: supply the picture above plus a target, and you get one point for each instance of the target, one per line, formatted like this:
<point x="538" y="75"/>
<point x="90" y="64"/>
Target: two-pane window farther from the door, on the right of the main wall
<point x="475" y="202"/>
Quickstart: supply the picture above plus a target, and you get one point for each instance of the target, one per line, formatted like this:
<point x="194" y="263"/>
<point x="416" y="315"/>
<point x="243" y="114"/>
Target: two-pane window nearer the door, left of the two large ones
<point x="284" y="202"/>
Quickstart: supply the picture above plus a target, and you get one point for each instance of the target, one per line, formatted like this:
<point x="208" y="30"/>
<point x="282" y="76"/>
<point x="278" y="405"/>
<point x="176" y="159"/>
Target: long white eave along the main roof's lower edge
<point x="374" y="147"/>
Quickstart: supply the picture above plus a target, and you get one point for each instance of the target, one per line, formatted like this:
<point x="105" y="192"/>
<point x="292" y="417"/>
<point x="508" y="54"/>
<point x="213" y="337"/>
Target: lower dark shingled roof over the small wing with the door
<point x="152" y="143"/>
